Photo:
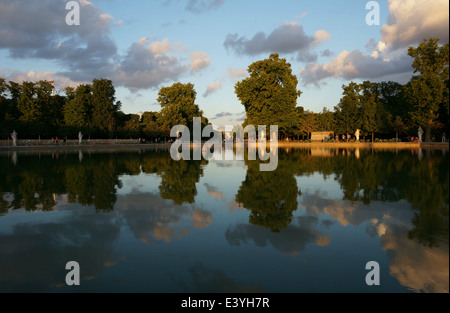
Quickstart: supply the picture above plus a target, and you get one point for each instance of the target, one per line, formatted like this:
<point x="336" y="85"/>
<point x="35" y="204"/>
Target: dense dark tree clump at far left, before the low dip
<point x="33" y="111"/>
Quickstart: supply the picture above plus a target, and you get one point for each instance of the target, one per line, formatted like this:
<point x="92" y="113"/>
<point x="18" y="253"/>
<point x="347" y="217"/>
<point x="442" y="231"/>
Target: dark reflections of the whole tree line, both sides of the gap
<point x="369" y="175"/>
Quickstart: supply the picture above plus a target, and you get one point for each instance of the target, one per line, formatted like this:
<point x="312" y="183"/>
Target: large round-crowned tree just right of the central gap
<point x="270" y="94"/>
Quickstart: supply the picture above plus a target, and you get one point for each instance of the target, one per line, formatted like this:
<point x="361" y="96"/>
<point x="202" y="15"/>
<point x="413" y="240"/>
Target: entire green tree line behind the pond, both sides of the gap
<point x="269" y="96"/>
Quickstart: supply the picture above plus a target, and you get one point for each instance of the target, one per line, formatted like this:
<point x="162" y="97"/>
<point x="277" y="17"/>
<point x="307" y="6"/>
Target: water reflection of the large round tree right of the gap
<point x="270" y="196"/>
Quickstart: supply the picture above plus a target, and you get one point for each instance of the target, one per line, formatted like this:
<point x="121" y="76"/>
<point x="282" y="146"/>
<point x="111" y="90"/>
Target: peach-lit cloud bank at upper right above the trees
<point x="409" y="22"/>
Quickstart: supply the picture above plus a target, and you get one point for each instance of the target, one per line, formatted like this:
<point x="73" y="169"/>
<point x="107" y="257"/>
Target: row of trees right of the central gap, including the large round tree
<point x="387" y="109"/>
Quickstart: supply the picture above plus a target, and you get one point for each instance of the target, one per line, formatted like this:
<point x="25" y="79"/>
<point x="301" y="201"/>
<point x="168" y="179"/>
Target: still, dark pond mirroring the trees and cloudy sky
<point x="138" y="221"/>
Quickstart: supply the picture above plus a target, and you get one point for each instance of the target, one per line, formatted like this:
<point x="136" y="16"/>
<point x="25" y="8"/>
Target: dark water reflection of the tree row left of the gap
<point x="35" y="182"/>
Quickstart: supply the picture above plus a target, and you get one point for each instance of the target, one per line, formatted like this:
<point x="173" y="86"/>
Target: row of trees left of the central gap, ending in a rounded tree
<point x="34" y="112"/>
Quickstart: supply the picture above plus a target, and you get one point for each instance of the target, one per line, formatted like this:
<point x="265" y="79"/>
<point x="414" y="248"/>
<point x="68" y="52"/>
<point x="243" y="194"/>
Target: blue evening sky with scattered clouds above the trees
<point x="145" y="45"/>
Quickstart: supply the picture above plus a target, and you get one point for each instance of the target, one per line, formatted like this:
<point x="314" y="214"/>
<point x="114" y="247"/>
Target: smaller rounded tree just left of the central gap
<point x="178" y="105"/>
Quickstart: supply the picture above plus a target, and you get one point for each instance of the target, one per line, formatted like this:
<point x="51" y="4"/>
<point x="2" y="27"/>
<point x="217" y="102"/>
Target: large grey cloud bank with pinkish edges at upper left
<point x="88" y="51"/>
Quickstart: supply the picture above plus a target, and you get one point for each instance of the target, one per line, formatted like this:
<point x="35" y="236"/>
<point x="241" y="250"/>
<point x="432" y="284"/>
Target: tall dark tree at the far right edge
<point x="426" y="91"/>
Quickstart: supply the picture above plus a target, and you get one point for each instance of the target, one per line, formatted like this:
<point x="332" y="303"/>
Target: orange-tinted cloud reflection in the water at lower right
<point x="418" y="267"/>
